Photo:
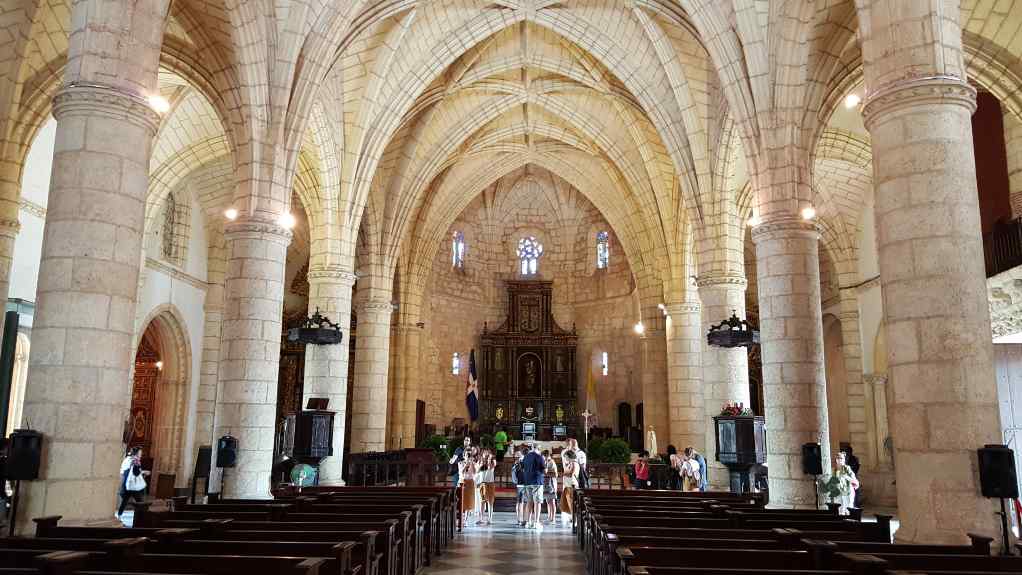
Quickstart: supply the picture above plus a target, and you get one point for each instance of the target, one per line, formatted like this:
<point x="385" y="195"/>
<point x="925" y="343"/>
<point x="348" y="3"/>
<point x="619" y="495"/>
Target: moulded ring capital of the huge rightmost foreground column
<point x="918" y="91"/>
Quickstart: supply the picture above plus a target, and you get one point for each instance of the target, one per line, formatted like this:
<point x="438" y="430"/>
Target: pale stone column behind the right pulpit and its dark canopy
<point x="725" y="371"/>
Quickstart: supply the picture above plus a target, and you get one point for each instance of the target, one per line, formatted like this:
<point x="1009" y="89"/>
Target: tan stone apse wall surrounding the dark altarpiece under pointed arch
<point x="602" y="304"/>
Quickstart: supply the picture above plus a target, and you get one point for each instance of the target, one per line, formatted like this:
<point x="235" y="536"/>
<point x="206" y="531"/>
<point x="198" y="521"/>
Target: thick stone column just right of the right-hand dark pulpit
<point x="793" y="341"/>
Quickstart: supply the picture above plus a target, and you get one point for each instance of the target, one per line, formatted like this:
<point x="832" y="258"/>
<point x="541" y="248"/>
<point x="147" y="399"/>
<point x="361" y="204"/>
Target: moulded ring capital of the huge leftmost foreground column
<point x="101" y="101"/>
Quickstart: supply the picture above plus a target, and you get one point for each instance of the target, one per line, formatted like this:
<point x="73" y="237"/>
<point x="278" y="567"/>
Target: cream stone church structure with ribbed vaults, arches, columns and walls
<point x="181" y="181"/>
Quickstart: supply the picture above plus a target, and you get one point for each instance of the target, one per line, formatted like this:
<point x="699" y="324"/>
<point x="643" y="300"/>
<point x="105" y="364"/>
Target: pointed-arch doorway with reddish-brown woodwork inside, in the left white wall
<point x="158" y="419"/>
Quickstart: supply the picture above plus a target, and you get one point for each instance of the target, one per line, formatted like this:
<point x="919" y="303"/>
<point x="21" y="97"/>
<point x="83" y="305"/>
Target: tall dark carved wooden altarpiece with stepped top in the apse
<point x="529" y="380"/>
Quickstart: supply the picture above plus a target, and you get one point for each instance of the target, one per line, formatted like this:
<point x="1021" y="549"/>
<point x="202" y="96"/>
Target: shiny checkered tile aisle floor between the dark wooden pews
<point x="505" y="549"/>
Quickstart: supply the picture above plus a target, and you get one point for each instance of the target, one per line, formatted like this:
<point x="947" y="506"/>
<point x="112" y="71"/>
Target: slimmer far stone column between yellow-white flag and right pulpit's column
<point x="685" y="392"/>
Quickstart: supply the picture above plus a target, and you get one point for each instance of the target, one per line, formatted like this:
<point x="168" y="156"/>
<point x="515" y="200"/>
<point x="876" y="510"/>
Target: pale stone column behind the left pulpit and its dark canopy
<point x="327" y="366"/>
